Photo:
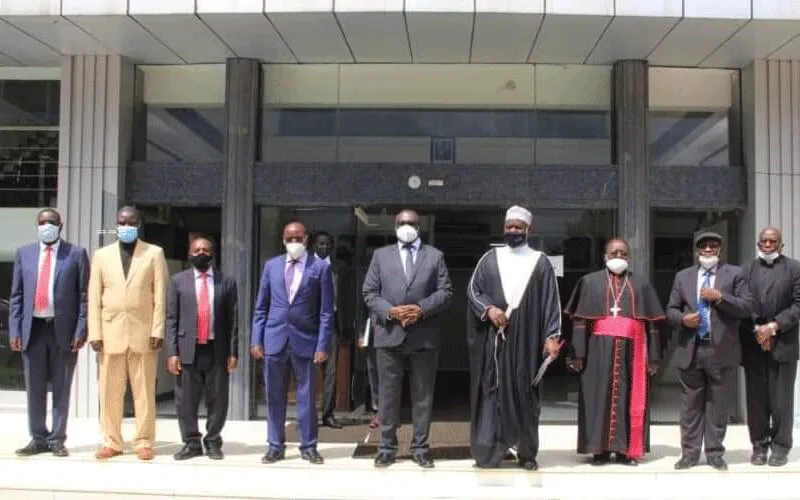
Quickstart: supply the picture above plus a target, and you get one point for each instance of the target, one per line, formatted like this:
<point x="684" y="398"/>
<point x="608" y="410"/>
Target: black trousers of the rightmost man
<point x="770" y="401"/>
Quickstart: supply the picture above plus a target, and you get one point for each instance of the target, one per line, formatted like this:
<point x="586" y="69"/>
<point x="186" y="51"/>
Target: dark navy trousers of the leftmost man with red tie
<point x="44" y="361"/>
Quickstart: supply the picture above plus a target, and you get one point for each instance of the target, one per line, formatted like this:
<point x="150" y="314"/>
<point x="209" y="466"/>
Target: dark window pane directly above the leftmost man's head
<point x="28" y="167"/>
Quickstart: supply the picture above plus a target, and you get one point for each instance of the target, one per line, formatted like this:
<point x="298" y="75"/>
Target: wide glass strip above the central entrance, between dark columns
<point x="480" y="136"/>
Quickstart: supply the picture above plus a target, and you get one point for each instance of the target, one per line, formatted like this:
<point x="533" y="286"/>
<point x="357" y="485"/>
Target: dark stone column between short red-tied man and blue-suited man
<point x="242" y="110"/>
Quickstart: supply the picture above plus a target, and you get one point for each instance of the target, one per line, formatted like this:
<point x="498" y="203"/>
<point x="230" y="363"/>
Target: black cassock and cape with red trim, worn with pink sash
<point x="604" y="395"/>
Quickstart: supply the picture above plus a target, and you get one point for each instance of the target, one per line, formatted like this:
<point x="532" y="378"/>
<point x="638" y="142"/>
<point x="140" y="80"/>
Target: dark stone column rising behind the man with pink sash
<point x="632" y="155"/>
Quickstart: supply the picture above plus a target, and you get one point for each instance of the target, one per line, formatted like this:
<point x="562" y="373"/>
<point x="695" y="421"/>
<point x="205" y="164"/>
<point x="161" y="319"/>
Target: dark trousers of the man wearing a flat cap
<point x="707" y="392"/>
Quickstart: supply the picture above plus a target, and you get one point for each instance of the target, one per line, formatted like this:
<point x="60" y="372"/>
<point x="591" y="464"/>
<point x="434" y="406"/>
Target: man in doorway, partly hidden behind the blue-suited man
<point x="322" y="243"/>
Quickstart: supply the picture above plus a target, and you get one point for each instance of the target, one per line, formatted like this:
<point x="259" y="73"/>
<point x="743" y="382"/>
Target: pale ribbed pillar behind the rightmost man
<point x="771" y="147"/>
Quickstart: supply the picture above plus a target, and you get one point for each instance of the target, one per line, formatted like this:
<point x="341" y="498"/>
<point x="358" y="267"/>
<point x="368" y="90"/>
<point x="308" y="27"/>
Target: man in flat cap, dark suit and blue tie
<point x="707" y="303"/>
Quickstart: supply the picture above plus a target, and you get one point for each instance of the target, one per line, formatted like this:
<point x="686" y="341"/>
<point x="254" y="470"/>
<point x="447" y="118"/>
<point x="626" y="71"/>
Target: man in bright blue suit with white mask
<point x="292" y="324"/>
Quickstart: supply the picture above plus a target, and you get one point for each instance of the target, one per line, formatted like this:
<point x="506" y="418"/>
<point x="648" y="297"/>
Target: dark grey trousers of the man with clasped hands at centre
<point x="422" y="377"/>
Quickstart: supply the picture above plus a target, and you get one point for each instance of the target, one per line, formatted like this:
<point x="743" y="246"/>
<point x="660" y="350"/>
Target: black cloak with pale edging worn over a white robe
<point x="504" y="402"/>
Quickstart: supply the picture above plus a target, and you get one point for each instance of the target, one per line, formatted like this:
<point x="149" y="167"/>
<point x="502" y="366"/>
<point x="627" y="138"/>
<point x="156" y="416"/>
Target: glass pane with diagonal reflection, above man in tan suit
<point x="177" y="134"/>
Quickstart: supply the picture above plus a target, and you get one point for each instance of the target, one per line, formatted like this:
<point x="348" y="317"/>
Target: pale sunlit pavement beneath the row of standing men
<point x="562" y="475"/>
